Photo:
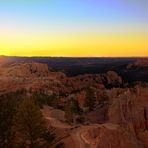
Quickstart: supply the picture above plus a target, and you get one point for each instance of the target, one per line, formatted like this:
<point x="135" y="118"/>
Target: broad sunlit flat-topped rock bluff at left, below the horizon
<point x="29" y="76"/>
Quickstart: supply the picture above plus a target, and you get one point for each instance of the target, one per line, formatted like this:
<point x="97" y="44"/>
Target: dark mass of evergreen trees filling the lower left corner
<point x="21" y="122"/>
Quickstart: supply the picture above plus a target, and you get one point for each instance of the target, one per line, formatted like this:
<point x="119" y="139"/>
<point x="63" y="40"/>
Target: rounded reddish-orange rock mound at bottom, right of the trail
<point x="109" y="136"/>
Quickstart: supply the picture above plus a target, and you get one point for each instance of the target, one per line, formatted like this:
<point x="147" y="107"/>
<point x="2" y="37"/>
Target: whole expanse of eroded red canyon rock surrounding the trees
<point x="119" y="118"/>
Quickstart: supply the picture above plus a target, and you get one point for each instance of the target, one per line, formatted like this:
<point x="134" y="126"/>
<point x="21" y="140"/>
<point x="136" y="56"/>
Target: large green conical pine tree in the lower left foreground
<point x="28" y="122"/>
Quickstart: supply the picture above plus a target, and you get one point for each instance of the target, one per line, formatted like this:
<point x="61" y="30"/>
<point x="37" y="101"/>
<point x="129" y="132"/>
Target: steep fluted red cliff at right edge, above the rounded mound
<point x="130" y="110"/>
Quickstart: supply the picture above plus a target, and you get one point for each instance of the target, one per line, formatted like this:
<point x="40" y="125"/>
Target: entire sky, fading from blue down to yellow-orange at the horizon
<point x="74" y="27"/>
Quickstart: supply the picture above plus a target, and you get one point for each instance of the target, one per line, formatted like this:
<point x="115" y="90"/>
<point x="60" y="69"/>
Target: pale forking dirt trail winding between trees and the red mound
<point x="56" y="119"/>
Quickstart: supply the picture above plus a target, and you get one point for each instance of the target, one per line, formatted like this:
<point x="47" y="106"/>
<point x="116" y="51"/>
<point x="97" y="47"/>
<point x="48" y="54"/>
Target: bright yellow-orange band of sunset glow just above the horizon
<point x="104" y="44"/>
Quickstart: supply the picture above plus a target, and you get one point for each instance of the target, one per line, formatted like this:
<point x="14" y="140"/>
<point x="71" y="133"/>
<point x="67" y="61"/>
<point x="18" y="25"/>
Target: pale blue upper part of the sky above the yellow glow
<point x="52" y="15"/>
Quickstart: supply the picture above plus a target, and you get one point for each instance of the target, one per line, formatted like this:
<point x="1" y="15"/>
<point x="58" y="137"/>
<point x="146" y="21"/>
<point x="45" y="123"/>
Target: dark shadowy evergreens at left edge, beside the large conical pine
<point x="8" y="104"/>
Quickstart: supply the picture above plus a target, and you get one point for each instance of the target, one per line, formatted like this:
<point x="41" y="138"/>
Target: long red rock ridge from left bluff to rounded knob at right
<point x="37" y="76"/>
